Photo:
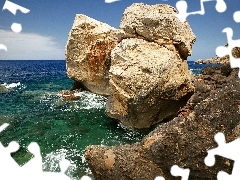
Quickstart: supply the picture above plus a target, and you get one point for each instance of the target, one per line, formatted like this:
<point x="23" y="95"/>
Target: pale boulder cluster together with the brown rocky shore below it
<point x="142" y="69"/>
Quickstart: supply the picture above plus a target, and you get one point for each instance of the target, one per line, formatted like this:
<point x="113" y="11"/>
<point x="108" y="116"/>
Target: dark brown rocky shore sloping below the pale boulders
<point x="183" y="141"/>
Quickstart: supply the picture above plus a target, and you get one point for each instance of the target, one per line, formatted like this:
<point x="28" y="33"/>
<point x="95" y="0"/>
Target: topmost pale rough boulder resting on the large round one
<point x="158" y="23"/>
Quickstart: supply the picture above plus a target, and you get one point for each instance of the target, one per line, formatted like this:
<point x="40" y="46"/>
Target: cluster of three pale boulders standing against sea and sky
<point x="141" y="66"/>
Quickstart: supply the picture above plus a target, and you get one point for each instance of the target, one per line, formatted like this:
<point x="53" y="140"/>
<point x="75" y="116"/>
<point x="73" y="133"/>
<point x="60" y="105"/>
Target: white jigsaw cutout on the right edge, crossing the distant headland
<point x="227" y="50"/>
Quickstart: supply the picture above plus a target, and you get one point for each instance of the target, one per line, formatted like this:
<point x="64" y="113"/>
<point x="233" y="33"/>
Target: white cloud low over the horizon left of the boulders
<point x="29" y="46"/>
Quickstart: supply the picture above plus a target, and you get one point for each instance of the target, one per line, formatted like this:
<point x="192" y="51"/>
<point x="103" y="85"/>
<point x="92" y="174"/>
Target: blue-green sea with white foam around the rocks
<point x="31" y="102"/>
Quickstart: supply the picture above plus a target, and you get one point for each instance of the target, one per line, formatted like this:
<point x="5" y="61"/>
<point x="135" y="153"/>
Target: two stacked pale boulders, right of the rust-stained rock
<point x="149" y="78"/>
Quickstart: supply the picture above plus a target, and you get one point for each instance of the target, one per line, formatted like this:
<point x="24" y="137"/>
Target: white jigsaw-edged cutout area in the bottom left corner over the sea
<point x="32" y="169"/>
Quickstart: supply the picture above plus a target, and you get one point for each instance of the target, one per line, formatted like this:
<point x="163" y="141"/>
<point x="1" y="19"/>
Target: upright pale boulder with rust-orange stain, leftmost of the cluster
<point x="88" y="53"/>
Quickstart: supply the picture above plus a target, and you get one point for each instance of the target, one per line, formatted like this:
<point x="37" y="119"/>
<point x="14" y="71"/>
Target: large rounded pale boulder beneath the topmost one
<point x="148" y="83"/>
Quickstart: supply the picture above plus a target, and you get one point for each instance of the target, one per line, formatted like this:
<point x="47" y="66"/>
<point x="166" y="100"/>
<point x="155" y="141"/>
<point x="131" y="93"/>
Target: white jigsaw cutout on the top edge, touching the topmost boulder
<point x="182" y="8"/>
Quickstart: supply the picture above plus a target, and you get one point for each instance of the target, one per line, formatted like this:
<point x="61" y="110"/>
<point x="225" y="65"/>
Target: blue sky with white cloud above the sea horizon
<point x="45" y="28"/>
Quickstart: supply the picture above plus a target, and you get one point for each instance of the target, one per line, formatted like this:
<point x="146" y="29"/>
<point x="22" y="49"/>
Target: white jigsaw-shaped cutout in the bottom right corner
<point x="228" y="150"/>
